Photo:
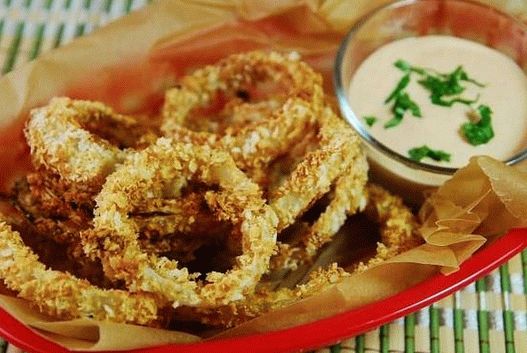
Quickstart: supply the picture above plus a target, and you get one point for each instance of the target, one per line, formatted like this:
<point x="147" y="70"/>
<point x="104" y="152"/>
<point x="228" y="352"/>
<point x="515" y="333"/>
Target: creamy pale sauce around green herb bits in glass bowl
<point x="505" y="92"/>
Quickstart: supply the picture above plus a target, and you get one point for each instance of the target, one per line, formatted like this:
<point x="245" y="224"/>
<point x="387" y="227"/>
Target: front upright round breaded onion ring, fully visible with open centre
<point x="148" y="174"/>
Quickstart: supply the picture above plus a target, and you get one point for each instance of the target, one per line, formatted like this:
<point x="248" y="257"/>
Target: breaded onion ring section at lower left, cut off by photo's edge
<point x="61" y="295"/>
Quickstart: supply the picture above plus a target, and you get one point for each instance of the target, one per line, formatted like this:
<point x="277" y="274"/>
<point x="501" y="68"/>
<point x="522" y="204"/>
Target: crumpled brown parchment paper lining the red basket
<point x="129" y="64"/>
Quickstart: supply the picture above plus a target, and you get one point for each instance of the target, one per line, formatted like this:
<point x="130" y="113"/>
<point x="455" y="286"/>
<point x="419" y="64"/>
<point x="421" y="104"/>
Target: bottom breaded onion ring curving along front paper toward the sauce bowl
<point x="398" y="228"/>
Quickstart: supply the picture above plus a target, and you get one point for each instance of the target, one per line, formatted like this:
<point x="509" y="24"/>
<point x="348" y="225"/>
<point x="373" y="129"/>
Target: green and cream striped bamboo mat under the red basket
<point x="487" y="316"/>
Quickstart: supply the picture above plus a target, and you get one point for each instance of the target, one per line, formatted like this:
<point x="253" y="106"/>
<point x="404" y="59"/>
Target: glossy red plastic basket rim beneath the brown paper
<point x="322" y="332"/>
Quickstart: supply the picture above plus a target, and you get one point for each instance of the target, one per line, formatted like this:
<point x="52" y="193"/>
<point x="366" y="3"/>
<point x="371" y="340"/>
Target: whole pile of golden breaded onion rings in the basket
<point x="248" y="158"/>
